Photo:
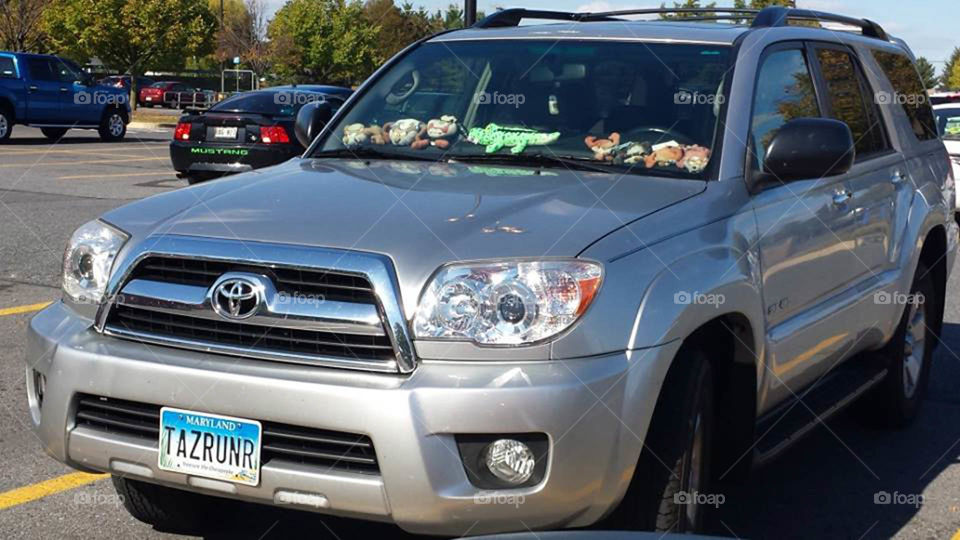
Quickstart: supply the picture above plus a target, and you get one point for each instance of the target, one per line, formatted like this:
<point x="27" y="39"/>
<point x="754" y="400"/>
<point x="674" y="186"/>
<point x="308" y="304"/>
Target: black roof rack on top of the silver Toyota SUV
<point x="766" y="18"/>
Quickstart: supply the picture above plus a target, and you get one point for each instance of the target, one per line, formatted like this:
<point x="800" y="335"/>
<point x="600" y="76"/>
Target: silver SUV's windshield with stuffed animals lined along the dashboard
<point x="641" y="107"/>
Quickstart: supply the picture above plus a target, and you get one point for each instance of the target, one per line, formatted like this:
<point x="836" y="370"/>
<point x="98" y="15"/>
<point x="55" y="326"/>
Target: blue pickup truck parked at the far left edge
<point x="55" y="95"/>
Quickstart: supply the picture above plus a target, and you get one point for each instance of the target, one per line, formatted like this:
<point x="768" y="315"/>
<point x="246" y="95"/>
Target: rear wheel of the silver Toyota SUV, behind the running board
<point x="895" y="401"/>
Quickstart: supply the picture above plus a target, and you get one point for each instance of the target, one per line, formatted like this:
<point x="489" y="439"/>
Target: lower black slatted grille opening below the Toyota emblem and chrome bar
<point x="248" y="336"/>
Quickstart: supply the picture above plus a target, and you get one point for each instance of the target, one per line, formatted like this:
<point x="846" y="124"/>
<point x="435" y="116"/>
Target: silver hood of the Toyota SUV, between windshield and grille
<point x="420" y="214"/>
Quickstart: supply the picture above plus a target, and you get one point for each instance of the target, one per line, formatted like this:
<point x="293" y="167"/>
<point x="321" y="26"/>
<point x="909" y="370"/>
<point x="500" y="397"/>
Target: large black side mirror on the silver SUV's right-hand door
<point x="809" y="148"/>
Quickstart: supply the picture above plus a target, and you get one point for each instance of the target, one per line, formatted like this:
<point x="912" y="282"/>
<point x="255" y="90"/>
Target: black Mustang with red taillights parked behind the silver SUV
<point x="245" y="132"/>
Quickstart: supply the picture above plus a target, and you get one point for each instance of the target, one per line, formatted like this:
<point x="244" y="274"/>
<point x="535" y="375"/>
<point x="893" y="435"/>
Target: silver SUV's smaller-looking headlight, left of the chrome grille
<point x="88" y="260"/>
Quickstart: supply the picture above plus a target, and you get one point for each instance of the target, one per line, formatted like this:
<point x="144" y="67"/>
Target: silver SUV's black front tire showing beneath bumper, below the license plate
<point x="167" y="508"/>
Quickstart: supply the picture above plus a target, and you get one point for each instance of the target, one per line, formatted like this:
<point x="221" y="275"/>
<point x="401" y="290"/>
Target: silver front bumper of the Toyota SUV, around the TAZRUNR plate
<point x="595" y="412"/>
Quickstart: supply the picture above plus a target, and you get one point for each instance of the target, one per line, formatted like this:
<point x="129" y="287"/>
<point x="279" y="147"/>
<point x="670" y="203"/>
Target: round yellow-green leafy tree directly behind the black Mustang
<point x="328" y="41"/>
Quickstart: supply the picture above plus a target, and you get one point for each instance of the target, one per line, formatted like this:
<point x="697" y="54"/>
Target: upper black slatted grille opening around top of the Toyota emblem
<point x="292" y="281"/>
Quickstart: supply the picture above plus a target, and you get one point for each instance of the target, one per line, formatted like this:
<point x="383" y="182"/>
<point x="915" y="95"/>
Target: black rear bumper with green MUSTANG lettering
<point x="218" y="157"/>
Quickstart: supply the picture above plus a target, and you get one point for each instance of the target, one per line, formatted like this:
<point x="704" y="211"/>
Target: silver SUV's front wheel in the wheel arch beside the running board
<point x="672" y="478"/>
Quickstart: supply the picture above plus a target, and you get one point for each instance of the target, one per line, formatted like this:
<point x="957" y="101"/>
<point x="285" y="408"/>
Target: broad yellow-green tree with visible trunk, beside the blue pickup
<point x="131" y="36"/>
